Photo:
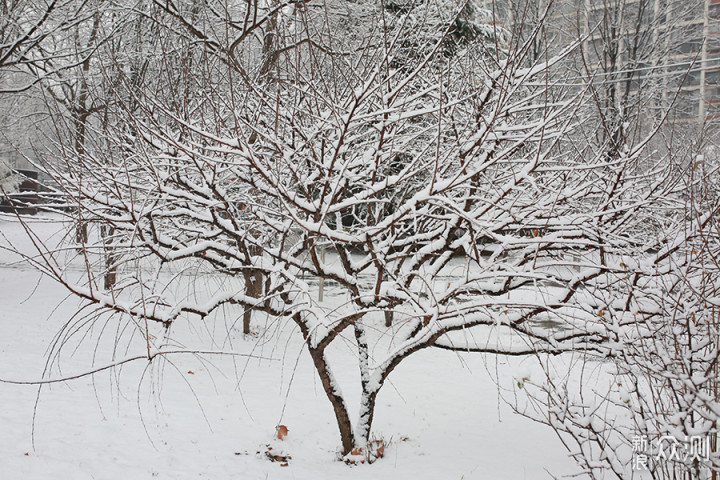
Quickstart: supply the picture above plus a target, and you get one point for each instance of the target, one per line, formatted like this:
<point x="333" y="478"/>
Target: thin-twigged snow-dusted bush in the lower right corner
<point x="648" y="403"/>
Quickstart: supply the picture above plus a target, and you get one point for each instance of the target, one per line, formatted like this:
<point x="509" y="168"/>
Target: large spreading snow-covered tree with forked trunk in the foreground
<point x="451" y="198"/>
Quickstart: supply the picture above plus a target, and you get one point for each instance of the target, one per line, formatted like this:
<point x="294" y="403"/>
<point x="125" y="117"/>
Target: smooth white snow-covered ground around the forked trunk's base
<point x="215" y="417"/>
